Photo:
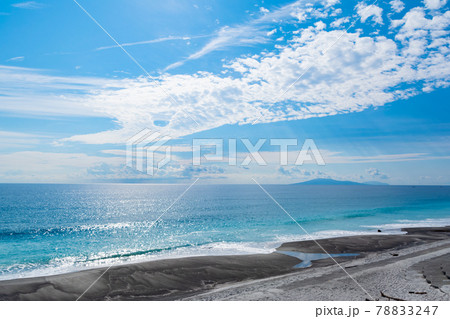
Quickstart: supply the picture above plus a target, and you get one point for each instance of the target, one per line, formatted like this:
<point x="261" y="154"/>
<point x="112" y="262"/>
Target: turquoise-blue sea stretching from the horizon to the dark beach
<point x="47" y="229"/>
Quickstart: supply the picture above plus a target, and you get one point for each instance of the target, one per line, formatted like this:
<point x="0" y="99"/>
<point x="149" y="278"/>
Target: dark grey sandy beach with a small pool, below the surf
<point x="411" y="266"/>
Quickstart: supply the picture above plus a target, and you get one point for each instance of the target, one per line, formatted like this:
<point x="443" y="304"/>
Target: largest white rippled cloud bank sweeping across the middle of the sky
<point x="358" y="72"/>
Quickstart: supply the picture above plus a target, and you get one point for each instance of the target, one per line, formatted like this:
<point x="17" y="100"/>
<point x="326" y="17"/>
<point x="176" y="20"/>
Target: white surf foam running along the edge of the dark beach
<point x="72" y="264"/>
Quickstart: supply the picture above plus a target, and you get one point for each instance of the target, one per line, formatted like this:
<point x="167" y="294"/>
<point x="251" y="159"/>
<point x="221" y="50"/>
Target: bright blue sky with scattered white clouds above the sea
<point x="367" y="81"/>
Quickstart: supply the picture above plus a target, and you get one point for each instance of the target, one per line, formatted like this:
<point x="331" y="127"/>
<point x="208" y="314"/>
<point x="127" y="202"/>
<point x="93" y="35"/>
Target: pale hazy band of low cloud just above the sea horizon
<point x="37" y="166"/>
